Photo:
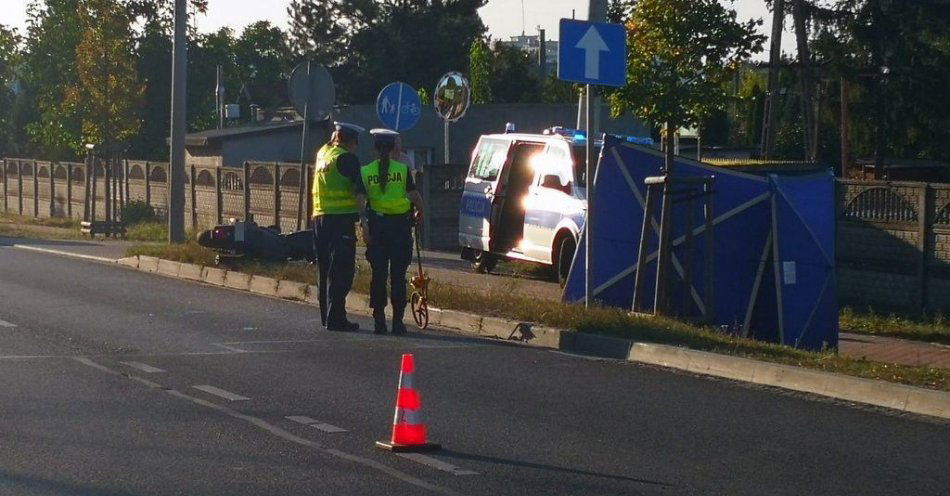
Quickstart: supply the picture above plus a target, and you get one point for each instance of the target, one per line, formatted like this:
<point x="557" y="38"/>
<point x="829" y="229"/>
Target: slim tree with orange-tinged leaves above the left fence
<point x="107" y="93"/>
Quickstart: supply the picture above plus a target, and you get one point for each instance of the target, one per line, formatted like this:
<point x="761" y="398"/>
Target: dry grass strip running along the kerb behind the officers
<point x="500" y="301"/>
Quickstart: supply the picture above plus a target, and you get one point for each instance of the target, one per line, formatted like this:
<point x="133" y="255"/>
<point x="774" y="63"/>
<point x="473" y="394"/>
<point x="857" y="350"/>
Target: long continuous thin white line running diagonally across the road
<point x="288" y="436"/>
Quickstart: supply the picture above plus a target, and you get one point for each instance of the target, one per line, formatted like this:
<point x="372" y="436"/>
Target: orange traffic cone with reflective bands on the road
<point x="409" y="433"/>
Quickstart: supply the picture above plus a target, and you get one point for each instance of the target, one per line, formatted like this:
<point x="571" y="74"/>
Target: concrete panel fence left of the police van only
<point x="268" y="193"/>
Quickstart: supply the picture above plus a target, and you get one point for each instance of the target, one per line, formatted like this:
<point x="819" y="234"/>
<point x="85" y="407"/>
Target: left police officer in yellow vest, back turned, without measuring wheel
<point x="336" y="181"/>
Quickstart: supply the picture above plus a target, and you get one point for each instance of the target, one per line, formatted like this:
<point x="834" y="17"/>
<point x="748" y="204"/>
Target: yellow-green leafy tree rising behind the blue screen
<point x="681" y="54"/>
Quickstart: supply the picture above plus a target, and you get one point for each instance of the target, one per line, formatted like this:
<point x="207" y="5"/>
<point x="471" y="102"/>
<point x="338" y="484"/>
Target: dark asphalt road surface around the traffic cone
<point x="114" y="382"/>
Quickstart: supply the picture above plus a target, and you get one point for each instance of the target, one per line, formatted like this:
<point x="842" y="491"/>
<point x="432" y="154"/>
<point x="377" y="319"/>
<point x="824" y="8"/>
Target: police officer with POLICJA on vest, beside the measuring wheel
<point x="391" y="191"/>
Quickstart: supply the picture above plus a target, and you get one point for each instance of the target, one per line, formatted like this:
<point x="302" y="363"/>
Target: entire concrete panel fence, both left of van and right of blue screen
<point x="893" y="237"/>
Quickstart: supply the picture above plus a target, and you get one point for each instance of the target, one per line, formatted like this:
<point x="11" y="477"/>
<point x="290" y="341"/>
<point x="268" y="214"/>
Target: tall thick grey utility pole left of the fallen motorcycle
<point x="176" y="183"/>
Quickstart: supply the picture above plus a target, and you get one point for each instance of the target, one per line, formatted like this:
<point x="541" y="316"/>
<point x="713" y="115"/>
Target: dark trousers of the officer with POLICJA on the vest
<point x="389" y="255"/>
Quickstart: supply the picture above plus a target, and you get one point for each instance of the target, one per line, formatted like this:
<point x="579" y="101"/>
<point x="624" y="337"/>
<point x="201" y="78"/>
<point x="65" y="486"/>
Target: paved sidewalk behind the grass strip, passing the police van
<point x="445" y="266"/>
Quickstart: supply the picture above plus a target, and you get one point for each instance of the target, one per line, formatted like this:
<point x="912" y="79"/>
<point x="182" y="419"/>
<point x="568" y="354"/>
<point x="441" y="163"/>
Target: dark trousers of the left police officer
<point x="335" y="243"/>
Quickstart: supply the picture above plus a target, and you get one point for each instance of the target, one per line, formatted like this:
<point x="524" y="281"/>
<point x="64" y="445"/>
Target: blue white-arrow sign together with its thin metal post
<point x="591" y="53"/>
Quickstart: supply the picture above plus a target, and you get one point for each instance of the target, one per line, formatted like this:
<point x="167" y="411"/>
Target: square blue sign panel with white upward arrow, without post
<point x="592" y="53"/>
